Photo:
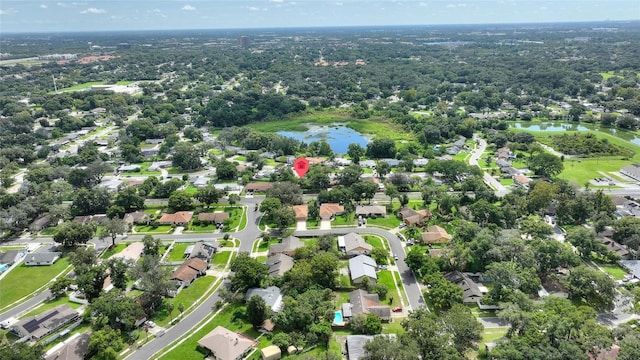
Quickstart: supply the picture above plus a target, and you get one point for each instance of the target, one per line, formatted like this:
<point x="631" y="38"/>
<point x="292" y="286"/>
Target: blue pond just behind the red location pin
<point x="338" y="136"/>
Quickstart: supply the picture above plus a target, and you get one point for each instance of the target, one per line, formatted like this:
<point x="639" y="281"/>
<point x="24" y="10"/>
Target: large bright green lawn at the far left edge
<point x="24" y="280"/>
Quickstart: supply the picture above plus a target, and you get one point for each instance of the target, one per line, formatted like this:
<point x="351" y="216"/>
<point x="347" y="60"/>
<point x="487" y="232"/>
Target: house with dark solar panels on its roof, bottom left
<point x="41" y="325"/>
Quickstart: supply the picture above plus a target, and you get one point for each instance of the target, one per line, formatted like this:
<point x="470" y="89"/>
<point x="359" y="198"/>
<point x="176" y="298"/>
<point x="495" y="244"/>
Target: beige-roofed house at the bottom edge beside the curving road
<point x="224" y="344"/>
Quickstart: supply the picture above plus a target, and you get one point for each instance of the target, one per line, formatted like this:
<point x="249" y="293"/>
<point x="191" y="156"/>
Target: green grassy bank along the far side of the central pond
<point x="374" y="126"/>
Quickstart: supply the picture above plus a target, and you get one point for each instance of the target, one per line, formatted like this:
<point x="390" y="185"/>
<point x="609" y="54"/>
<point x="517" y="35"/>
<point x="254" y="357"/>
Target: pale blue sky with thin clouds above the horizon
<point x="100" y="15"/>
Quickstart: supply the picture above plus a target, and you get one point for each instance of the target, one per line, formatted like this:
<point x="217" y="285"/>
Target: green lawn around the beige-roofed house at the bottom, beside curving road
<point x="188" y="349"/>
